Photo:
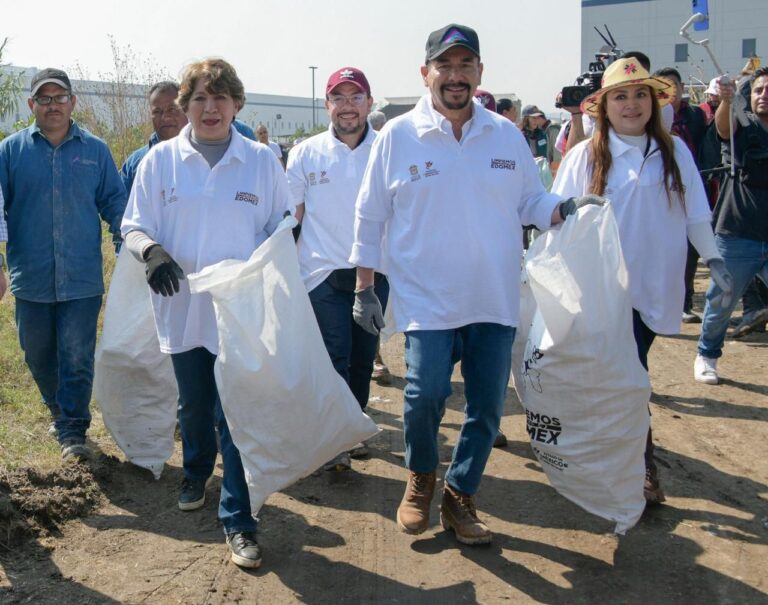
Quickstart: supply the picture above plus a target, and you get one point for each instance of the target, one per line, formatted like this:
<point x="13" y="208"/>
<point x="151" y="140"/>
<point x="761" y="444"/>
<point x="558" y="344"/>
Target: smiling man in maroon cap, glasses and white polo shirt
<point x="324" y="174"/>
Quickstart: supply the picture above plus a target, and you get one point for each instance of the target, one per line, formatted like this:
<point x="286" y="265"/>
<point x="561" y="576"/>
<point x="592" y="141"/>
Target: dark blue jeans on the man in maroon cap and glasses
<point x="352" y="349"/>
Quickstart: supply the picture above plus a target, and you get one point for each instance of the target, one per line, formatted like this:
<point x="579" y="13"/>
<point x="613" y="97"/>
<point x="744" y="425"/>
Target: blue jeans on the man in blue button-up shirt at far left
<point x="59" y="342"/>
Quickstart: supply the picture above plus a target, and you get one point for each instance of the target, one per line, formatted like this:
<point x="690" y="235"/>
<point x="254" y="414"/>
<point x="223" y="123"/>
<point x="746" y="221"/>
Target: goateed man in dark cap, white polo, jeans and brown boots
<point x="447" y="189"/>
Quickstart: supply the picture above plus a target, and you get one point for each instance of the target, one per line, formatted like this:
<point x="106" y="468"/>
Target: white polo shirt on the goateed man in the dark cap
<point x="453" y="214"/>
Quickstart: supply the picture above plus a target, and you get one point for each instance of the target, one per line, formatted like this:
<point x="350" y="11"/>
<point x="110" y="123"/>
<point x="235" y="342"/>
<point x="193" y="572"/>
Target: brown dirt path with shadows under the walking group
<point x="332" y="538"/>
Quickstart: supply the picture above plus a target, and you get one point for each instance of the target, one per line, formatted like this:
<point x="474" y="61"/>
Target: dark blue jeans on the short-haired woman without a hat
<point x="199" y="409"/>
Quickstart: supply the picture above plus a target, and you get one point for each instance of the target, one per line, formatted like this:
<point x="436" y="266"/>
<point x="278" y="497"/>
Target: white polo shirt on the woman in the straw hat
<point x="652" y="229"/>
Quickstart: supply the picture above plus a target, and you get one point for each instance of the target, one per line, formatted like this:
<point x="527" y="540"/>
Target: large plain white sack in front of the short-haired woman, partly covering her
<point x="287" y="408"/>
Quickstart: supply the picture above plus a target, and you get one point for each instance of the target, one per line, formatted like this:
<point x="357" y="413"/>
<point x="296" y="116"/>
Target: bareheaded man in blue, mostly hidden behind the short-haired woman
<point x="167" y="120"/>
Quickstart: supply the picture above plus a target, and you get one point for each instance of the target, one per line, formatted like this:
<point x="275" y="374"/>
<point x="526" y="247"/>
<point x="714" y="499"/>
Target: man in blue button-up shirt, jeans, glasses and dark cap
<point x="57" y="180"/>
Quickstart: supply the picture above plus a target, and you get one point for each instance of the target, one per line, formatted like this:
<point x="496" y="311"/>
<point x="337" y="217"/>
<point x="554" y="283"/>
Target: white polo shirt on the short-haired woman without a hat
<point x="202" y="216"/>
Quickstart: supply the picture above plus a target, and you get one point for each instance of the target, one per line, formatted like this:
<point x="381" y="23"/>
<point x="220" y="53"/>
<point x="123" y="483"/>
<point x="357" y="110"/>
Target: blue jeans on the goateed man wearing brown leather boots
<point x="486" y="359"/>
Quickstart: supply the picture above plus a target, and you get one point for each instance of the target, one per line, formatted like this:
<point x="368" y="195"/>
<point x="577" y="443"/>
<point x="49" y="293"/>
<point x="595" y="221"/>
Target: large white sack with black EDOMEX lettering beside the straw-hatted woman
<point x="582" y="385"/>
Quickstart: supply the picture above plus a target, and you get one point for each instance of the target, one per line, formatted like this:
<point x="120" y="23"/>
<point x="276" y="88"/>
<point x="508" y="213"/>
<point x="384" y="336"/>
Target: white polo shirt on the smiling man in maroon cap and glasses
<point x="325" y="175"/>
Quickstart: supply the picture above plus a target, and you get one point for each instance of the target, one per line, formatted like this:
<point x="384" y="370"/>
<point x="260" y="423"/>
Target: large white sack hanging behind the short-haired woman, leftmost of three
<point x="134" y="382"/>
